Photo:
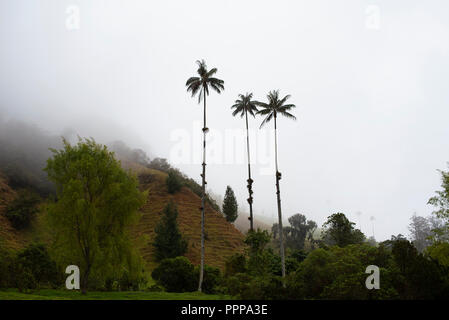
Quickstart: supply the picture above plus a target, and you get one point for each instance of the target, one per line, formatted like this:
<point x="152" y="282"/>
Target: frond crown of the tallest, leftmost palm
<point x="205" y="80"/>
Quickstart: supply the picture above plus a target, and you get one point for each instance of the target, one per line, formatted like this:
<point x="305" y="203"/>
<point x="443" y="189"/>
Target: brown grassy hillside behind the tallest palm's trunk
<point x="222" y="238"/>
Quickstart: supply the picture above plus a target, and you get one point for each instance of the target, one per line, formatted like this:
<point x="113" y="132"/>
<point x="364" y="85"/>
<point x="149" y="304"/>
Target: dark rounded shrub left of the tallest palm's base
<point x="176" y="275"/>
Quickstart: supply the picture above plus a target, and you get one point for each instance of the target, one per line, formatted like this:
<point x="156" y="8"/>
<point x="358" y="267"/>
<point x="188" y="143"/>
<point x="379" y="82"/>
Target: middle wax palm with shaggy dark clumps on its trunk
<point x="243" y="106"/>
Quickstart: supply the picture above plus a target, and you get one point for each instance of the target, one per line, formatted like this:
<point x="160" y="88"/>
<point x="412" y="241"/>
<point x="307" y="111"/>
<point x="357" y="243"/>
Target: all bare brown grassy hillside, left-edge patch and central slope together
<point x="222" y="238"/>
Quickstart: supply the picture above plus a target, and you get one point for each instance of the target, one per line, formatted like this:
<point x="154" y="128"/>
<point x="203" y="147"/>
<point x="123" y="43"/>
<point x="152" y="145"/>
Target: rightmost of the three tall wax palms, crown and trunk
<point x="271" y="110"/>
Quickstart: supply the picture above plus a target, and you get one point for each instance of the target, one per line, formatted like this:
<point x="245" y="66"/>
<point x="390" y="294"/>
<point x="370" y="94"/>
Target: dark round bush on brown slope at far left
<point x="23" y="209"/>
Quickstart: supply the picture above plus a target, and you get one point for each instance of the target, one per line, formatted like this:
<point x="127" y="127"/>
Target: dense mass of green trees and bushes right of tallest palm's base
<point x="336" y="272"/>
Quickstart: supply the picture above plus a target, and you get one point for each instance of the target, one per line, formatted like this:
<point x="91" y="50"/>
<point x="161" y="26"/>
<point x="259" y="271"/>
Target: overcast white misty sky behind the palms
<point x="369" y="78"/>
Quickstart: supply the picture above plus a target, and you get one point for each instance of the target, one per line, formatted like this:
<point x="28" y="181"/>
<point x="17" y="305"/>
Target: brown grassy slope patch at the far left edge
<point x="10" y="237"/>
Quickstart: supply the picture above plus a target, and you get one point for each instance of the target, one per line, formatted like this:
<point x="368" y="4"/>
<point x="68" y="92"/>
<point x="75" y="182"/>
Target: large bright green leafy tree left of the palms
<point x="96" y="202"/>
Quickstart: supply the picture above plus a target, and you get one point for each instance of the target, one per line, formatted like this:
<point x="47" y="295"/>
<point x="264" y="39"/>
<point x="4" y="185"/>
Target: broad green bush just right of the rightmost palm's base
<point x="339" y="273"/>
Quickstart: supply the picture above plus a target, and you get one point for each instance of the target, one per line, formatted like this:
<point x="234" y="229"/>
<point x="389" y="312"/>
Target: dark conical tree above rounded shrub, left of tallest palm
<point x="169" y="242"/>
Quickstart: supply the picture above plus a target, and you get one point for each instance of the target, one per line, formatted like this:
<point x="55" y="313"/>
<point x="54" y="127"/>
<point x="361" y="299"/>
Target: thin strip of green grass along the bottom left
<point x="13" y="294"/>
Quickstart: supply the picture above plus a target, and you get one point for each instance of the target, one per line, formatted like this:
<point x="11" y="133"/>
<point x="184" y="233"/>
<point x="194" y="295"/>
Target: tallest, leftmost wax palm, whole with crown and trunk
<point x="200" y="85"/>
